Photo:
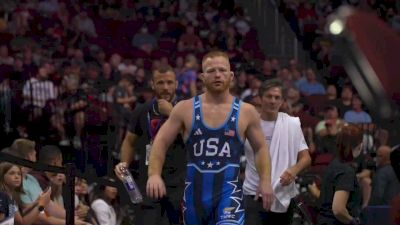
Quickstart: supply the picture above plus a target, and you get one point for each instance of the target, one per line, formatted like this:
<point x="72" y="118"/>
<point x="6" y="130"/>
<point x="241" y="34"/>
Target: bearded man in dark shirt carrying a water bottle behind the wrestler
<point x="144" y="126"/>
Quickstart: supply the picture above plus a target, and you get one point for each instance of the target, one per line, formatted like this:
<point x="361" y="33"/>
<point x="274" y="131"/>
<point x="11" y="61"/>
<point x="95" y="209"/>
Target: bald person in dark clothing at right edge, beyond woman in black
<point x="385" y="185"/>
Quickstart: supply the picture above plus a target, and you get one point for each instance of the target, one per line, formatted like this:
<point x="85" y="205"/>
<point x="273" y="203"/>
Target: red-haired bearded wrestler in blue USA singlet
<point x="214" y="126"/>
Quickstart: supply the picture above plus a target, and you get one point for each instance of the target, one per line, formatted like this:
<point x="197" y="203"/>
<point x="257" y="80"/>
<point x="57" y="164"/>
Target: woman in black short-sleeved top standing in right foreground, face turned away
<point x="340" y="195"/>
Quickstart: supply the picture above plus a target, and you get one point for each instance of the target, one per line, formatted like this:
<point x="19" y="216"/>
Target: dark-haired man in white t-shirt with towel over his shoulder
<point x="289" y="156"/>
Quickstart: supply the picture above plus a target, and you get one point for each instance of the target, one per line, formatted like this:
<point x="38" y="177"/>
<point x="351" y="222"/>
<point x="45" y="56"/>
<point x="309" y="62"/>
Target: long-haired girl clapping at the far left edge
<point x="10" y="205"/>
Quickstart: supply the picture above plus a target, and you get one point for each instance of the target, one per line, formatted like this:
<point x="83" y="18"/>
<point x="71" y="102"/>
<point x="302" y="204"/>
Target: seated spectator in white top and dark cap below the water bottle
<point x="104" y="204"/>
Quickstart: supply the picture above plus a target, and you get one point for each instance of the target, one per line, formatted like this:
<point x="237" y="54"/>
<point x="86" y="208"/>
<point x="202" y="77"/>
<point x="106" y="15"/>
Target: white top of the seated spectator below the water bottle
<point x="105" y="213"/>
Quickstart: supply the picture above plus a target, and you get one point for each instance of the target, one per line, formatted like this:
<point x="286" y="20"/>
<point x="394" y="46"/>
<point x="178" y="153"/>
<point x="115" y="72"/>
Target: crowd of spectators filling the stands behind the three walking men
<point x="72" y="72"/>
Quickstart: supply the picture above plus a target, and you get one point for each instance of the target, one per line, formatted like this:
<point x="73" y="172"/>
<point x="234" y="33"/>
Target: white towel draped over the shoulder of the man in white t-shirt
<point x="284" y="138"/>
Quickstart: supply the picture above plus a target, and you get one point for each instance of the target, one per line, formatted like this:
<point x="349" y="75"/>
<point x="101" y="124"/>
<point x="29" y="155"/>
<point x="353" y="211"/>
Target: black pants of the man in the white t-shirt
<point x="256" y="214"/>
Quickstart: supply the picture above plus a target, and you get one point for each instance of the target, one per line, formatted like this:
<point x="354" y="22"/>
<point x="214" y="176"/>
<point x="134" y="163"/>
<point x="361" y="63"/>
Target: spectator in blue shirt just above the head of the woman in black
<point x="357" y="114"/>
